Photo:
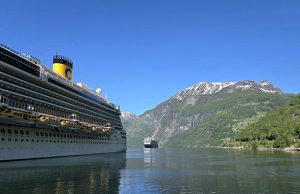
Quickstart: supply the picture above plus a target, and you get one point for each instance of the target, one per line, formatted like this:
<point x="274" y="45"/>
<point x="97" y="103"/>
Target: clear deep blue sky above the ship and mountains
<point x="142" y="52"/>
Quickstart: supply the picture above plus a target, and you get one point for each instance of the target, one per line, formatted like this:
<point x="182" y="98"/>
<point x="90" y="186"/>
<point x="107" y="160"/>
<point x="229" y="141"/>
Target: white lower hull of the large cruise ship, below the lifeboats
<point x="20" y="147"/>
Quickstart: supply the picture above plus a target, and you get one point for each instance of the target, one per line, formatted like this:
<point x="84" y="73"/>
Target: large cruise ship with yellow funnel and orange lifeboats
<point x="44" y="114"/>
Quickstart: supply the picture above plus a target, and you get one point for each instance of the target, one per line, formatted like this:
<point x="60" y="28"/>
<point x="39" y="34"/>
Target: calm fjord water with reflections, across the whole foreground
<point x="157" y="171"/>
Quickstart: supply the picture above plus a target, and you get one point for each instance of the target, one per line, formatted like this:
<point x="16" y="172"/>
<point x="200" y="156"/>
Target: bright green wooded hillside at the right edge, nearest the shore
<point x="279" y="128"/>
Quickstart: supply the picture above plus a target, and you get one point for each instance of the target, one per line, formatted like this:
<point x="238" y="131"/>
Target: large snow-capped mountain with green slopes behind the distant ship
<point x="205" y="114"/>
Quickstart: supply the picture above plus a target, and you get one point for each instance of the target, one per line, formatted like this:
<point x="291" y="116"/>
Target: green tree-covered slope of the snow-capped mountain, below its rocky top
<point x="224" y="116"/>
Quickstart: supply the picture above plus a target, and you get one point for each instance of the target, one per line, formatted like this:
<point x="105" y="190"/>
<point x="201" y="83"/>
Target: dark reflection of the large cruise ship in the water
<point x="84" y="174"/>
